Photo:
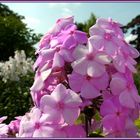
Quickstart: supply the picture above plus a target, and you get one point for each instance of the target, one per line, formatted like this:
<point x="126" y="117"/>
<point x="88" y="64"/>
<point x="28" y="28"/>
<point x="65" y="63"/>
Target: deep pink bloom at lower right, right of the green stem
<point x="114" y="115"/>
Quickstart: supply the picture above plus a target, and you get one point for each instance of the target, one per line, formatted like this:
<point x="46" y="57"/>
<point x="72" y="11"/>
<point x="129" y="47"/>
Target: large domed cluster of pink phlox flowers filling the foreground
<point x="75" y="72"/>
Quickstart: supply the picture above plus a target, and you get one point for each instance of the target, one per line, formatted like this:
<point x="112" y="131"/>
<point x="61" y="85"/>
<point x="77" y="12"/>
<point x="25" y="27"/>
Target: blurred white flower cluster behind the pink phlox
<point x="15" y="67"/>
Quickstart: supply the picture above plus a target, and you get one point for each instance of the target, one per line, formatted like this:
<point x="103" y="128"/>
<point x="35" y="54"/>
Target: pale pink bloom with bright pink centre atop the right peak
<point x="104" y="39"/>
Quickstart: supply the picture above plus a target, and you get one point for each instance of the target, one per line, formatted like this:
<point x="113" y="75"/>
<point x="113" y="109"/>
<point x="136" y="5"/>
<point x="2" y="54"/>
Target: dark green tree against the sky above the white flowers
<point x="14" y="34"/>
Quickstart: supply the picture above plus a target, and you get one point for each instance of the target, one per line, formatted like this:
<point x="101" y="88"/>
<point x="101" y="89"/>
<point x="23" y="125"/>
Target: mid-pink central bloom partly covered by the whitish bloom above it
<point x="88" y="87"/>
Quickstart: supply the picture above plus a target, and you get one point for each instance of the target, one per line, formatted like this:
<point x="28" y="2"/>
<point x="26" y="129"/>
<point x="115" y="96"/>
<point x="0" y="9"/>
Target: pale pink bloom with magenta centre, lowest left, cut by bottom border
<point x="36" y="124"/>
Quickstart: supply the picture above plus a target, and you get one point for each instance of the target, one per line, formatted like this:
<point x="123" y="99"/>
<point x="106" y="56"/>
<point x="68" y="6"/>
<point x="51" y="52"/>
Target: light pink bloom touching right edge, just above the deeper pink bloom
<point x="128" y="94"/>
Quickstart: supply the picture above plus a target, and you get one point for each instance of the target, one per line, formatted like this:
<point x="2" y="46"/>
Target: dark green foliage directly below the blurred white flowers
<point x="15" y="99"/>
